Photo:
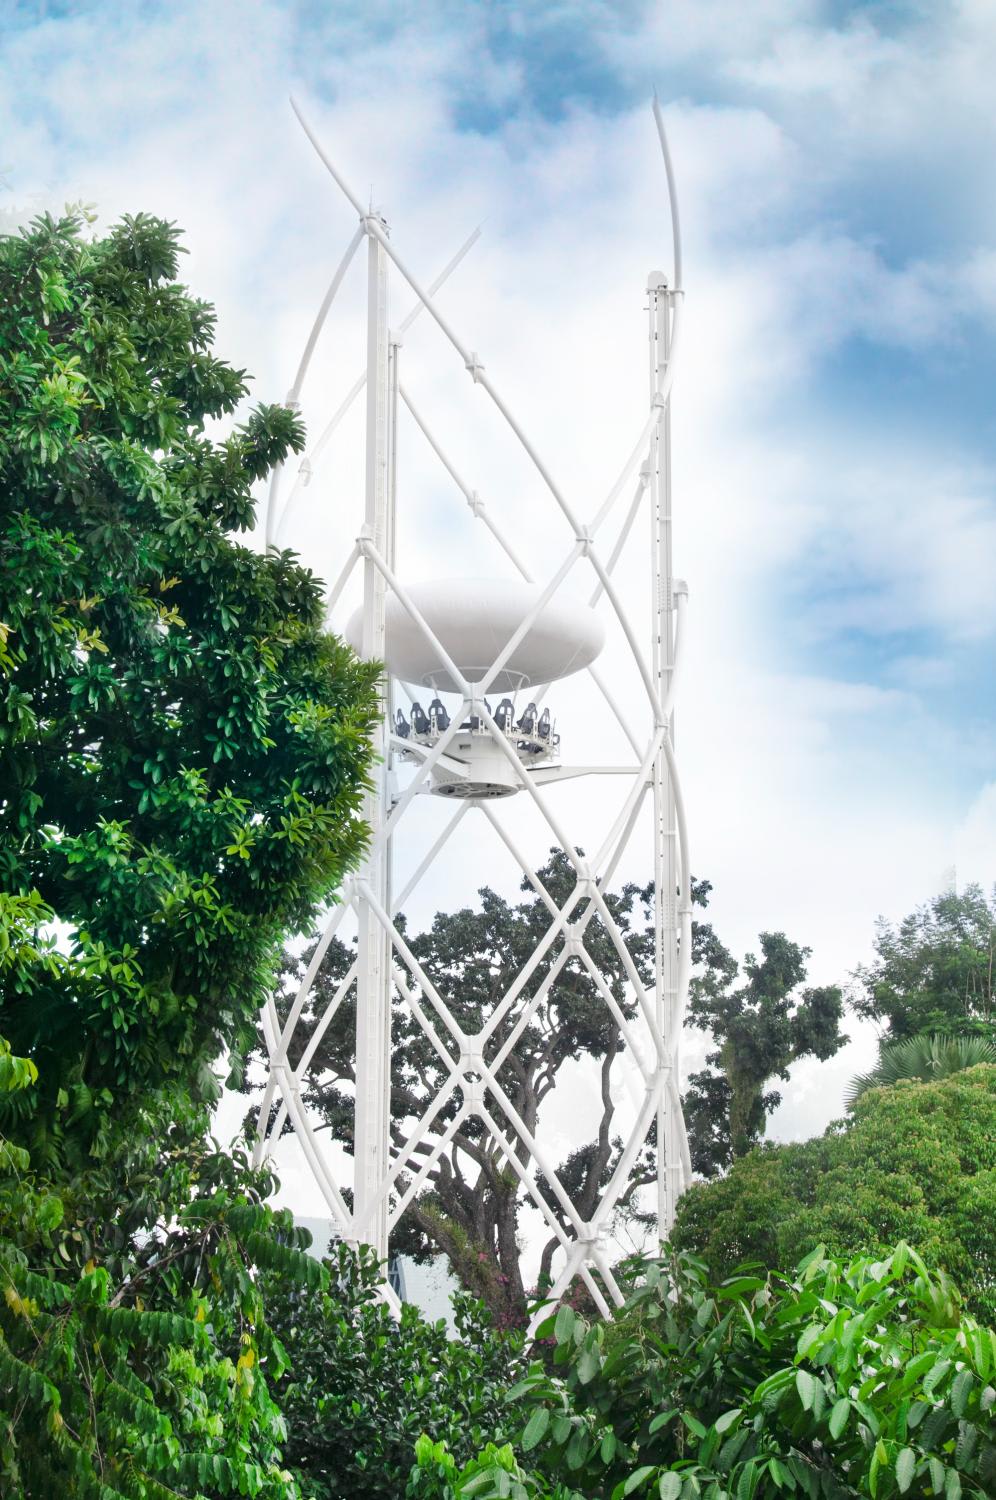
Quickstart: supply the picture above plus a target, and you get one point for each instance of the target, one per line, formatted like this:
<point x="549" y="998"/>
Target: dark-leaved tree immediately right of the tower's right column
<point x="760" y="1028"/>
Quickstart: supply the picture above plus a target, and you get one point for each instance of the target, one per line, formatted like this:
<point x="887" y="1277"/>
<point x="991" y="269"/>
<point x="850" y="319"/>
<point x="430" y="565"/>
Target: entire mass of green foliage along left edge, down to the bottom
<point x="182" y="761"/>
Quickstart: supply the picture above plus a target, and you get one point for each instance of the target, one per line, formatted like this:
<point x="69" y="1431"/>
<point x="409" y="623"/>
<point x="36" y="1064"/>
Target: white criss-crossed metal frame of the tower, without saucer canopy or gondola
<point x="388" y="1177"/>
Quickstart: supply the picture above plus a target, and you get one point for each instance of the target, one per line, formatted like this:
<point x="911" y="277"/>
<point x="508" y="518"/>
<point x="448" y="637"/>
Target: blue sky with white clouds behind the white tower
<point x="833" y="421"/>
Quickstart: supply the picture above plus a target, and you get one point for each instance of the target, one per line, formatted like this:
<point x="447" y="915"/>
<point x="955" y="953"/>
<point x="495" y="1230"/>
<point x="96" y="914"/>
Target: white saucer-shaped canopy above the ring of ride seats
<point x="473" y="620"/>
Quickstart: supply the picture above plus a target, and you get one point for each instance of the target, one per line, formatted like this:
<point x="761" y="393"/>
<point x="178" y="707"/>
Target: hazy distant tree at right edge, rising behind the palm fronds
<point x="935" y="971"/>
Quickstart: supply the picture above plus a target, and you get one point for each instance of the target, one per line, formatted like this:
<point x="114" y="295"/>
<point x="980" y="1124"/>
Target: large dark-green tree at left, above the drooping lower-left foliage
<point x="182" y="746"/>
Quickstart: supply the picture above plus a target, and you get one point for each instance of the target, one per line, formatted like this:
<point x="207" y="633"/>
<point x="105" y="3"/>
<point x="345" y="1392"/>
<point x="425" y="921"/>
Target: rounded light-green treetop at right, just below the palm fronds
<point x="916" y="1162"/>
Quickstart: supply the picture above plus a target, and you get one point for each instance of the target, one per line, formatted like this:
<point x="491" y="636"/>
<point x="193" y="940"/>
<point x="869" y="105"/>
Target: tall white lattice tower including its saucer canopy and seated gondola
<point x="452" y="647"/>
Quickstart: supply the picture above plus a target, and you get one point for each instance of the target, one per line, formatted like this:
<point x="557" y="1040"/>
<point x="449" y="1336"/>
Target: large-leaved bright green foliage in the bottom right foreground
<point x="842" y="1381"/>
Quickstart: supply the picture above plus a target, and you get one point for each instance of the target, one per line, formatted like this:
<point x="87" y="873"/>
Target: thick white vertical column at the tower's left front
<point x="374" y="974"/>
